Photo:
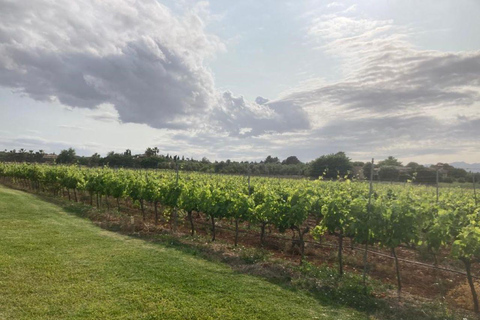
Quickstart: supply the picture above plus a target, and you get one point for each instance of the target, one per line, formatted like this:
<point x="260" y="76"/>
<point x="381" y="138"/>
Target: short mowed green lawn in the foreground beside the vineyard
<point x="55" y="265"/>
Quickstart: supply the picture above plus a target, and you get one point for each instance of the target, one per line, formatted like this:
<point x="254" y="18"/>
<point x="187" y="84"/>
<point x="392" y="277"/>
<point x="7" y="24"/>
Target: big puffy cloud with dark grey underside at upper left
<point x="137" y="56"/>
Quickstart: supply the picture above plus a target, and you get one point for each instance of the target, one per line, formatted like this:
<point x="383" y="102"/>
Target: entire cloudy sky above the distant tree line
<point x="243" y="79"/>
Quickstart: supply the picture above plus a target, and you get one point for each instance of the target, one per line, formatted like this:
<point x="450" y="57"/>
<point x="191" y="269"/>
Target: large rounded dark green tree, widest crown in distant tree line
<point x="330" y="166"/>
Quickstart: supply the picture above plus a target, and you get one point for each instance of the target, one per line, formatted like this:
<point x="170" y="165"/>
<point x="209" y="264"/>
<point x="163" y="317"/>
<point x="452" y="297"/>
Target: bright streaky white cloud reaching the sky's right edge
<point x="385" y="74"/>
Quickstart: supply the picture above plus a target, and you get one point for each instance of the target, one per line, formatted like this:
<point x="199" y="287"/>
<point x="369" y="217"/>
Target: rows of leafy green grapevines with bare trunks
<point x="387" y="217"/>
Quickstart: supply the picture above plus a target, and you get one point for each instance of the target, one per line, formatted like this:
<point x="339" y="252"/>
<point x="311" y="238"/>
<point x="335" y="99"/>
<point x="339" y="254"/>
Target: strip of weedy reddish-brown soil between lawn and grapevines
<point x="322" y="283"/>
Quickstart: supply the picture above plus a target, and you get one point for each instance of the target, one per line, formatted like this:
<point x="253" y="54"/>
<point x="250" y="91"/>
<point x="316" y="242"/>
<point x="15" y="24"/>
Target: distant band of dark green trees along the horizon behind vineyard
<point x="330" y="166"/>
